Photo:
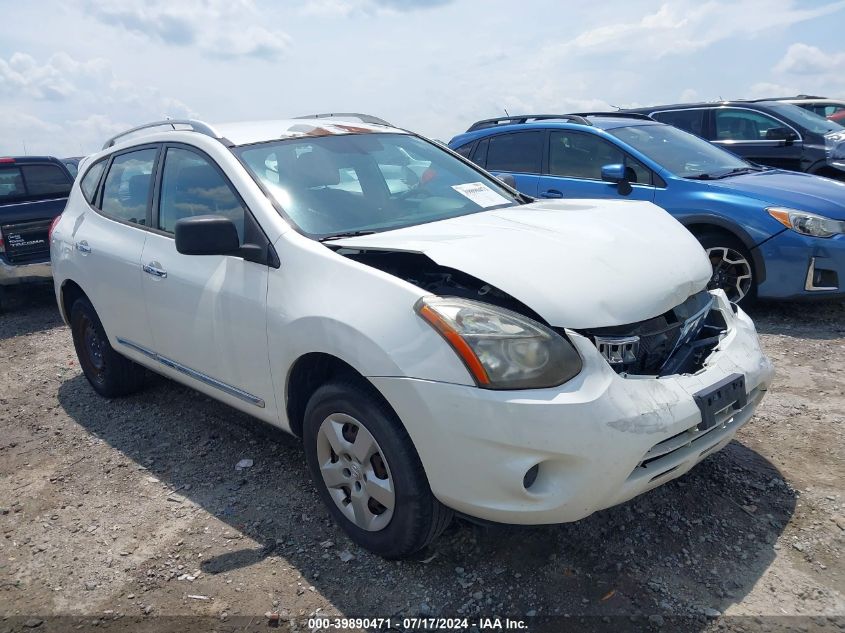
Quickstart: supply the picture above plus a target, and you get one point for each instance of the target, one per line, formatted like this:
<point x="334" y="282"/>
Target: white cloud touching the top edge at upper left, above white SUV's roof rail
<point x="226" y="29"/>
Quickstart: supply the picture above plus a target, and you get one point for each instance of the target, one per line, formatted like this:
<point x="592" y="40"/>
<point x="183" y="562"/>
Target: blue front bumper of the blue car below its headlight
<point x="803" y="267"/>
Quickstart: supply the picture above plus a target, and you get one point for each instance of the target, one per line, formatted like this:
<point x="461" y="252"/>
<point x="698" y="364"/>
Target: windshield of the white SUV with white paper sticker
<point x="352" y="183"/>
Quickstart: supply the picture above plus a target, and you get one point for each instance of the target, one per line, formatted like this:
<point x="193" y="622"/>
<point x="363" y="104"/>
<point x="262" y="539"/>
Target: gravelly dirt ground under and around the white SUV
<point x="125" y="512"/>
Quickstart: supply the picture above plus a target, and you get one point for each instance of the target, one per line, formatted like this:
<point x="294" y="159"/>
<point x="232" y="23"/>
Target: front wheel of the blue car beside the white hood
<point x="733" y="267"/>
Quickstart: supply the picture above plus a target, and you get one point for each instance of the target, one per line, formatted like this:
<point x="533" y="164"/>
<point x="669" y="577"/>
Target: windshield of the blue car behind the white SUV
<point x="681" y="153"/>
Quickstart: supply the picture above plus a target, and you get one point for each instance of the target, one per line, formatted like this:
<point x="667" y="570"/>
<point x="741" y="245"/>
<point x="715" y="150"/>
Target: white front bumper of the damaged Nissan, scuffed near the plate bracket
<point x="599" y="440"/>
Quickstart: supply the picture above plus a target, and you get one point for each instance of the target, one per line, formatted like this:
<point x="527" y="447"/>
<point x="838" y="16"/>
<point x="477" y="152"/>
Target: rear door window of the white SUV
<point x="126" y="193"/>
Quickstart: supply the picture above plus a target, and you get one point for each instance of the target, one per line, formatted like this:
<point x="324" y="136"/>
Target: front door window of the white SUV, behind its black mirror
<point x="192" y="186"/>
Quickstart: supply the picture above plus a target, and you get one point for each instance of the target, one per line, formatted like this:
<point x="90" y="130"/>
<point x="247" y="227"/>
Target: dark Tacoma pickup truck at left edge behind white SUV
<point x="33" y="191"/>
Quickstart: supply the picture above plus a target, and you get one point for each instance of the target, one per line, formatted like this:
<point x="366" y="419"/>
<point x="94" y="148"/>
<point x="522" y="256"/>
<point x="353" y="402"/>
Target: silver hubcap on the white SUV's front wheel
<point x="355" y="472"/>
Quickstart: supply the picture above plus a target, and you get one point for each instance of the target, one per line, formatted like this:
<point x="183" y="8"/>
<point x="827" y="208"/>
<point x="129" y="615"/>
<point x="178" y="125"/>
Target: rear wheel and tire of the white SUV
<point x="110" y="374"/>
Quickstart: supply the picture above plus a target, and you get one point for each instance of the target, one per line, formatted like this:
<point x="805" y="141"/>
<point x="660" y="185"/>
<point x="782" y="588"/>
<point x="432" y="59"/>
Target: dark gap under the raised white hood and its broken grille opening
<point x="678" y="341"/>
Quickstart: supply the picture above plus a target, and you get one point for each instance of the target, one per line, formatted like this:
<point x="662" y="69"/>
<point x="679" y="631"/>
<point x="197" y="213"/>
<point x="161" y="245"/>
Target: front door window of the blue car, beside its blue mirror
<point x="579" y="155"/>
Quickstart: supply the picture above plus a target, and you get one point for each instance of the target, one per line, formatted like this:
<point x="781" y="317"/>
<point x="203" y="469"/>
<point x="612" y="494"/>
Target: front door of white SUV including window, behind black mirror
<point x="207" y="313"/>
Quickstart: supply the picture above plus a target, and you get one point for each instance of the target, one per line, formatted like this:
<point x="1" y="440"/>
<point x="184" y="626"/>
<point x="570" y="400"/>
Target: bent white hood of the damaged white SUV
<point x="577" y="263"/>
